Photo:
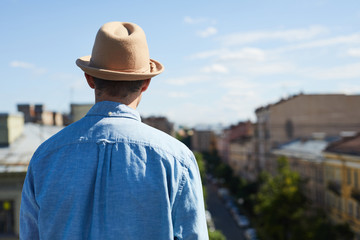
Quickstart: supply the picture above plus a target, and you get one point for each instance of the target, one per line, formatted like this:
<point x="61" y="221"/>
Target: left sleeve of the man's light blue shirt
<point x="29" y="209"/>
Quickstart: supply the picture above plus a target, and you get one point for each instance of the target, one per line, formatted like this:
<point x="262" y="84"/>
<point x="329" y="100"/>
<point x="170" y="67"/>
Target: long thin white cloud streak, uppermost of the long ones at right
<point x="285" y="35"/>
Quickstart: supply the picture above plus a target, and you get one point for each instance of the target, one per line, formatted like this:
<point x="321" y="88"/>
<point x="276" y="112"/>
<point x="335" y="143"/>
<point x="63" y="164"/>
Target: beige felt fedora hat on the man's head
<point x="120" y="53"/>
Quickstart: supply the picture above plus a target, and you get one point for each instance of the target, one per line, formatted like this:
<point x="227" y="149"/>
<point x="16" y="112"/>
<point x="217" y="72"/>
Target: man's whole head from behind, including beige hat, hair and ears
<point x="120" y="54"/>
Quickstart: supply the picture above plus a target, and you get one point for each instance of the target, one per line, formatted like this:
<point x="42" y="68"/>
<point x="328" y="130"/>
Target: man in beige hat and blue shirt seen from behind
<point x="109" y="176"/>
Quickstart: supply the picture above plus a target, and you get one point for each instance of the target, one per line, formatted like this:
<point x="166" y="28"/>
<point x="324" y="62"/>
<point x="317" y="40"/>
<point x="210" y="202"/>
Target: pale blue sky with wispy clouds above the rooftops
<point x="223" y="59"/>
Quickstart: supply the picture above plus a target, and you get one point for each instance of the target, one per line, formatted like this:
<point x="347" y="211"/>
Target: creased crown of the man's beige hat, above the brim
<point x="121" y="47"/>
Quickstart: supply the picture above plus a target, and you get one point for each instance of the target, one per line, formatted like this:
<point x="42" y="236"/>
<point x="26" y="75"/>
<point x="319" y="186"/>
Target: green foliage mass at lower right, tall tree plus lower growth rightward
<point x="284" y="213"/>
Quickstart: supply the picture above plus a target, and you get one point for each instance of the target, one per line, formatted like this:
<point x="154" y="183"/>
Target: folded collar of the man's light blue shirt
<point x="113" y="109"/>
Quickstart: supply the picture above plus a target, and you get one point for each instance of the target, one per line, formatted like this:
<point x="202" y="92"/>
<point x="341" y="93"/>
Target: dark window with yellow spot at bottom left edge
<point x="7" y="217"/>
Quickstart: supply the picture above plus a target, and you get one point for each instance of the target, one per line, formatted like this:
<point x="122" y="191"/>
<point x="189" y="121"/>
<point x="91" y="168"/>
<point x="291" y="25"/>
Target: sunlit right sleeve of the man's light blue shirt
<point x="188" y="211"/>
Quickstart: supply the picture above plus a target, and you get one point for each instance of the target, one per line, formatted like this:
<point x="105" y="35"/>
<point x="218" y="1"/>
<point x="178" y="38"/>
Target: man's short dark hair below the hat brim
<point x="117" y="88"/>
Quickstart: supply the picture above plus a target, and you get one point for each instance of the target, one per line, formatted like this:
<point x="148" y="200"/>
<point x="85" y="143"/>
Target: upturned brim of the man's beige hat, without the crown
<point x="105" y="74"/>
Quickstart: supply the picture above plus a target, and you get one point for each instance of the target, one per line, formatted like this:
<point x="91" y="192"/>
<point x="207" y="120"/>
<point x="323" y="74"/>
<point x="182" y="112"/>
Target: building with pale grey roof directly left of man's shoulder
<point x="14" y="160"/>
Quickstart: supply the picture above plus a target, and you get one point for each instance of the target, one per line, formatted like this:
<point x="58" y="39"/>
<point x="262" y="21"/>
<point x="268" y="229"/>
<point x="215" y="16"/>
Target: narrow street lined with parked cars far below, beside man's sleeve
<point x="221" y="216"/>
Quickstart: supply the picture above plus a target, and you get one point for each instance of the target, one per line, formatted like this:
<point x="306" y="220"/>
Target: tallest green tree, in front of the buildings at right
<point x="281" y="204"/>
